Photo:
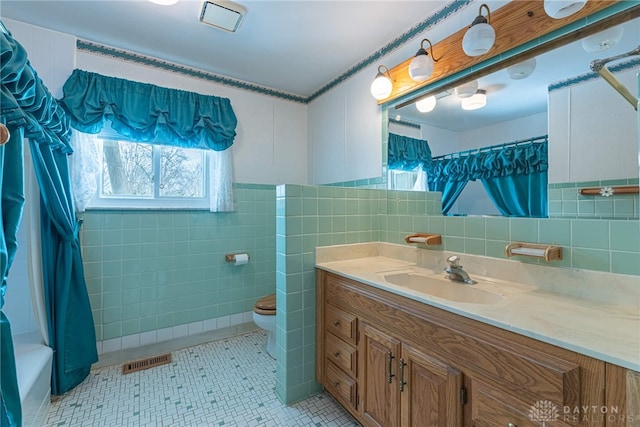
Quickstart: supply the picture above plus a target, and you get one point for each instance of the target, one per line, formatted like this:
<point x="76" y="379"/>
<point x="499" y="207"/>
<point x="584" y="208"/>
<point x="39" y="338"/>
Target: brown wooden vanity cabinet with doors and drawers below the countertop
<point x="411" y="364"/>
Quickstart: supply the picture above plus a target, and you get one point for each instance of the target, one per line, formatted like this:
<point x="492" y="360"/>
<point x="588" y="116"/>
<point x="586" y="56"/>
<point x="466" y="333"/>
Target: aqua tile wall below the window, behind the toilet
<point x="149" y="270"/>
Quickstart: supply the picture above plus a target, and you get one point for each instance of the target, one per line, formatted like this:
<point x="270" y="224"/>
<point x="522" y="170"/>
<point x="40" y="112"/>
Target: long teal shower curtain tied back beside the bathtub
<point x="29" y="110"/>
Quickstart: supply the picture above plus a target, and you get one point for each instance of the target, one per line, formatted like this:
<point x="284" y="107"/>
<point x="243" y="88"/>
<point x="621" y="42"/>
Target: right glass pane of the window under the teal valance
<point x="181" y="172"/>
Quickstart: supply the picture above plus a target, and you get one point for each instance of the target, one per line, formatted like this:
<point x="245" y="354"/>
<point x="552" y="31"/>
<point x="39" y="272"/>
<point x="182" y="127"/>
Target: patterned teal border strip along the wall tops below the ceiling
<point x="437" y="17"/>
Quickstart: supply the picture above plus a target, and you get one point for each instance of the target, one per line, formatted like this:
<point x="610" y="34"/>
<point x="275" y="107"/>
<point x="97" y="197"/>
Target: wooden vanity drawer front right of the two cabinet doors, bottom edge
<point x="493" y="407"/>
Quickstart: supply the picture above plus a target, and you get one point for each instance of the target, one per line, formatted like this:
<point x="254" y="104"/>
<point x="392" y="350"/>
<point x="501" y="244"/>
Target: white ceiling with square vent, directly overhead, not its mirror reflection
<point x="293" y="46"/>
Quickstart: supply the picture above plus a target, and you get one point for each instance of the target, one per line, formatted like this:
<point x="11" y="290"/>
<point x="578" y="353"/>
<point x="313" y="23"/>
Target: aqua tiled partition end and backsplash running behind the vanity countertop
<point x="319" y="216"/>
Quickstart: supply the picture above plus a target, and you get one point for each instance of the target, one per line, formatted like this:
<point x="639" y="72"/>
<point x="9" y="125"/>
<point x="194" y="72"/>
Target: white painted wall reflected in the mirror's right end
<point x="592" y="132"/>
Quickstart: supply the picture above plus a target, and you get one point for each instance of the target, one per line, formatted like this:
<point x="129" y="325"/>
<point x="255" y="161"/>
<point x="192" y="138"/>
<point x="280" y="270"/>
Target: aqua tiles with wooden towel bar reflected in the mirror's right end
<point x="565" y="201"/>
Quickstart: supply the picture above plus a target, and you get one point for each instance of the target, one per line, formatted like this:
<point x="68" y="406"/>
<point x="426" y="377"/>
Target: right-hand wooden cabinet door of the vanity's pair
<point x="430" y="390"/>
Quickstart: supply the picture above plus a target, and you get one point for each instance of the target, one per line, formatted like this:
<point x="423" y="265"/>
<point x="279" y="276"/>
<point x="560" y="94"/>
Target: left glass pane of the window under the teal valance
<point x="127" y="169"/>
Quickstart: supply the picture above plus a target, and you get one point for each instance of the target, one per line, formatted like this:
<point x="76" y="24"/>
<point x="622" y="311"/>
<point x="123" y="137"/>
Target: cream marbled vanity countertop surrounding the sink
<point x="597" y="315"/>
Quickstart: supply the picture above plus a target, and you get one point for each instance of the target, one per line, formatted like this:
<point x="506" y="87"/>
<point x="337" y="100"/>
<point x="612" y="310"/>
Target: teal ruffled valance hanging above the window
<point x="148" y="113"/>
